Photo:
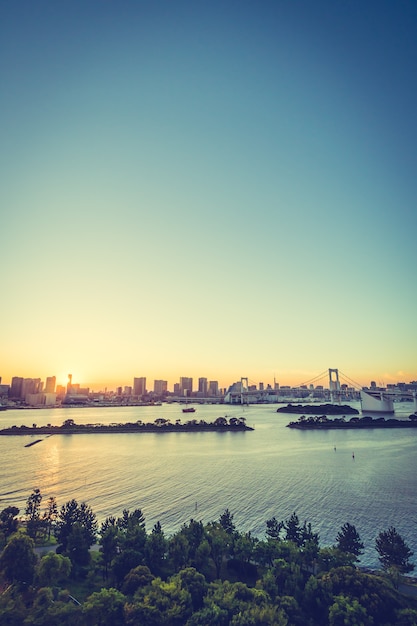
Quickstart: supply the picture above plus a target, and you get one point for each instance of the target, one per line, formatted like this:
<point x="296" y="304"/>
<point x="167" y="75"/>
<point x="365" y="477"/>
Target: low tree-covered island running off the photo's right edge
<point x="324" y="423"/>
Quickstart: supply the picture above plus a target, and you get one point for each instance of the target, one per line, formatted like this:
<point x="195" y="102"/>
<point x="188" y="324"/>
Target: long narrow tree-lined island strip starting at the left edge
<point x="160" y="425"/>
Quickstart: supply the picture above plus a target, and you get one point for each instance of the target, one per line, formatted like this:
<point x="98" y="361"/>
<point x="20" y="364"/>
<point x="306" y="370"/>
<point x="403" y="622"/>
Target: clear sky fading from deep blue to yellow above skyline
<point x="219" y="189"/>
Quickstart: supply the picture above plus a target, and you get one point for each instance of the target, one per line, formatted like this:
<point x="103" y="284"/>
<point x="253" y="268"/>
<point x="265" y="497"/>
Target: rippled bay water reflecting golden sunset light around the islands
<point x="172" y="477"/>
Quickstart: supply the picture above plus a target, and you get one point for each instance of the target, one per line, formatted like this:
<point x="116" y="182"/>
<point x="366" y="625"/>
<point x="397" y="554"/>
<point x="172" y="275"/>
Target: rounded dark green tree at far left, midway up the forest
<point x="18" y="560"/>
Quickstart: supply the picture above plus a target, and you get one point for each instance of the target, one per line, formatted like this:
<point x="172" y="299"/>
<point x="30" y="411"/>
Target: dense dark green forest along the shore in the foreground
<point x="58" y="566"/>
